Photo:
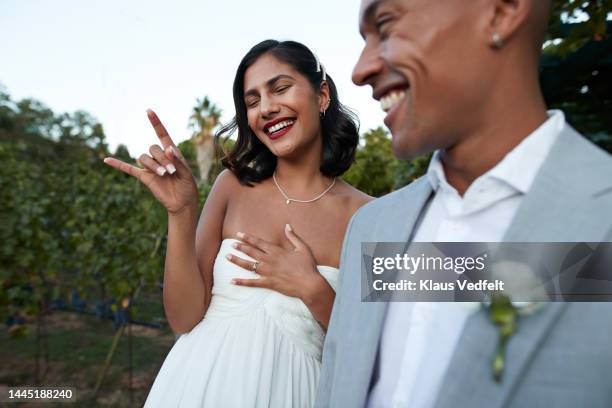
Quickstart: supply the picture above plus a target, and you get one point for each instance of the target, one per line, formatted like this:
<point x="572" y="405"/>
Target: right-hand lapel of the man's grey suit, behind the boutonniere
<point x="559" y="207"/>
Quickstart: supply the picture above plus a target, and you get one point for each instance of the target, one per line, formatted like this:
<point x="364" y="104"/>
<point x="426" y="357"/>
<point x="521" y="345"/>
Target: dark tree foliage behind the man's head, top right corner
<point x="576" y="67"/>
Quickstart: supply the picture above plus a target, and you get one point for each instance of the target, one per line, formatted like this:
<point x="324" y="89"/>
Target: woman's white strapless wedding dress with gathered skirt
<point x="254" y="348"/>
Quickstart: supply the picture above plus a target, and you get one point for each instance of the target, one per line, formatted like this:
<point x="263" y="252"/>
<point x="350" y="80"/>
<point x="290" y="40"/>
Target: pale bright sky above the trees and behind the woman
<point x="114" y="59"/>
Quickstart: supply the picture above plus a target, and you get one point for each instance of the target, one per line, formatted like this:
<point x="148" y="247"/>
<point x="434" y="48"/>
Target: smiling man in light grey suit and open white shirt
<point x="460" y="78"/>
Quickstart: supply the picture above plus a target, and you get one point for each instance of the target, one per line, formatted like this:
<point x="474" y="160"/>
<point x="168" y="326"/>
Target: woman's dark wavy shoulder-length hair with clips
<point x="250" y="160"/>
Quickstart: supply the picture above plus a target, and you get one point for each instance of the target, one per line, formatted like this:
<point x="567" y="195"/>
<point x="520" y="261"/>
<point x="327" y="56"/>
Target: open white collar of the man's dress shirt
<point x="520" y="166"/>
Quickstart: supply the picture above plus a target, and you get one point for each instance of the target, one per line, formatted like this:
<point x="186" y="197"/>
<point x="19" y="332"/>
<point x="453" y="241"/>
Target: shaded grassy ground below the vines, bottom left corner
<point x="77" y="346"/>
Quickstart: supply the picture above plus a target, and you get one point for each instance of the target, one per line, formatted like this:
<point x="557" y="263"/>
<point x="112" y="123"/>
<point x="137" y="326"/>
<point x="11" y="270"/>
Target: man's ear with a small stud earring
<point x="505" y="19"/>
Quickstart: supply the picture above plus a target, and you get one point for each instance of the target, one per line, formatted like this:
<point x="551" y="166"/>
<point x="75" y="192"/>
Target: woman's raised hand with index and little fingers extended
<point x="165" y="171"/>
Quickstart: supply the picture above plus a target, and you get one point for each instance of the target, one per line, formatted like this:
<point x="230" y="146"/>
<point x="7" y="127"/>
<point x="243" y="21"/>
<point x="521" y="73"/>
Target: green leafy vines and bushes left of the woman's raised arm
<point x="70" y="227"/>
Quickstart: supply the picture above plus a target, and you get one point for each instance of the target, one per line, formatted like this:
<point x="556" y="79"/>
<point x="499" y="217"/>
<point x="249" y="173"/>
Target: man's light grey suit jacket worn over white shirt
<point x="560" y="356"/>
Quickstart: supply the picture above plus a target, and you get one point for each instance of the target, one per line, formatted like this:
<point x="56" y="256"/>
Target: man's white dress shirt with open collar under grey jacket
<point x="419" y="338"/>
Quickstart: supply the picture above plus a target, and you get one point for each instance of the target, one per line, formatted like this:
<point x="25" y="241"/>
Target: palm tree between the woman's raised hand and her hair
<point x="203" y="120"/>
